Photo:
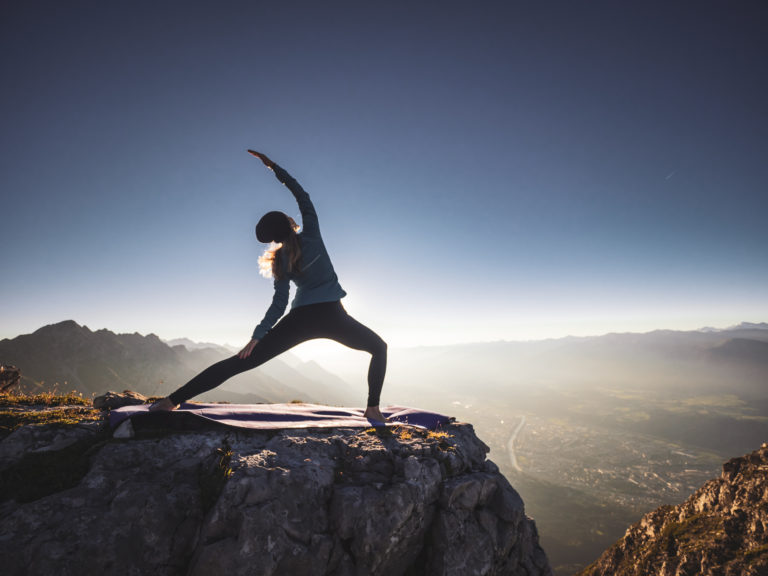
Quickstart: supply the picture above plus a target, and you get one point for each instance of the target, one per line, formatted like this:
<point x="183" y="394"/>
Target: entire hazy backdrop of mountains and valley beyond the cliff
<point x="593" y="432"/>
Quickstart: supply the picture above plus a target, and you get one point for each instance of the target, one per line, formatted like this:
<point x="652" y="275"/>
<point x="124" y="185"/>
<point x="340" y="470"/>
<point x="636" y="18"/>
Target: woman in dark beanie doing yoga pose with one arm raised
<point x="316" y="311"/>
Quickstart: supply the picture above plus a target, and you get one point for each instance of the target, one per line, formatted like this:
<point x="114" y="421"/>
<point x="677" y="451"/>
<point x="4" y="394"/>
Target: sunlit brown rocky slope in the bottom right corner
<point x="721" y="530"/>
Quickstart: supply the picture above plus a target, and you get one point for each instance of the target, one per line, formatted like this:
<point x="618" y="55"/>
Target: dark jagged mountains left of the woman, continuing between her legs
<point x="68" y="356"/>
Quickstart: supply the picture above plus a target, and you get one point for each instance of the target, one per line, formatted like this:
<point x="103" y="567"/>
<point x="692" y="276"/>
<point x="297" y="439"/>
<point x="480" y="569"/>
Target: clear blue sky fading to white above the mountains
<point x="482" y="170"/>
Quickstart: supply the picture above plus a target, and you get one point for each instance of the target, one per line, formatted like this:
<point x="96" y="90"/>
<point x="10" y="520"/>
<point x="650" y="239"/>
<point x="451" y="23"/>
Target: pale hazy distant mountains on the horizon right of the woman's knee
<point x="692" y="361"/>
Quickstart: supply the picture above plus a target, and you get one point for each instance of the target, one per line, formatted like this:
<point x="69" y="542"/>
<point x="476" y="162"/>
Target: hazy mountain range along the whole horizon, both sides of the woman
<point x="71" y="356"/>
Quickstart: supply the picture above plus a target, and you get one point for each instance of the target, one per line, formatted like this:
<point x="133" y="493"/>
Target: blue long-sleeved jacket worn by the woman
<point x="316" y="282"/>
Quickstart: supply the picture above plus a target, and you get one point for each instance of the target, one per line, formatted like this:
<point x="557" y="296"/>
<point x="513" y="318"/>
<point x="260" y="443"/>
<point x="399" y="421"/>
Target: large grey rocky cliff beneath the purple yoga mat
<point x="75" y="500"/>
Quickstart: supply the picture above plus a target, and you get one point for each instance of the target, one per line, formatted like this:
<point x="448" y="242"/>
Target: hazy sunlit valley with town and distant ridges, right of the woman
<point x="602" y="429"/>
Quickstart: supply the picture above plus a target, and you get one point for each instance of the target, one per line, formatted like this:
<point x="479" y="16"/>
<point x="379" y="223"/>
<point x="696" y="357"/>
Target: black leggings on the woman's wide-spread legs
<point x="324" y="320"/>
